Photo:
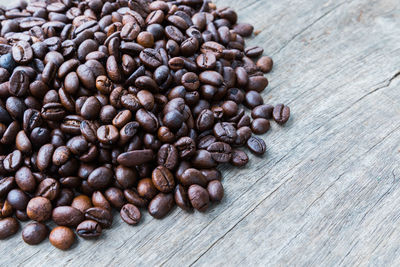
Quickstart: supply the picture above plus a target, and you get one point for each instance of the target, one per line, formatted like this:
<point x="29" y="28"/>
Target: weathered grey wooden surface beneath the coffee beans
<point x="328" y="191"/>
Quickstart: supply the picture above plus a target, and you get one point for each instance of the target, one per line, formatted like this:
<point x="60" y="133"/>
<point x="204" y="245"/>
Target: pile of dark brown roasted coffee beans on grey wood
<point x="124" y="104"/>
